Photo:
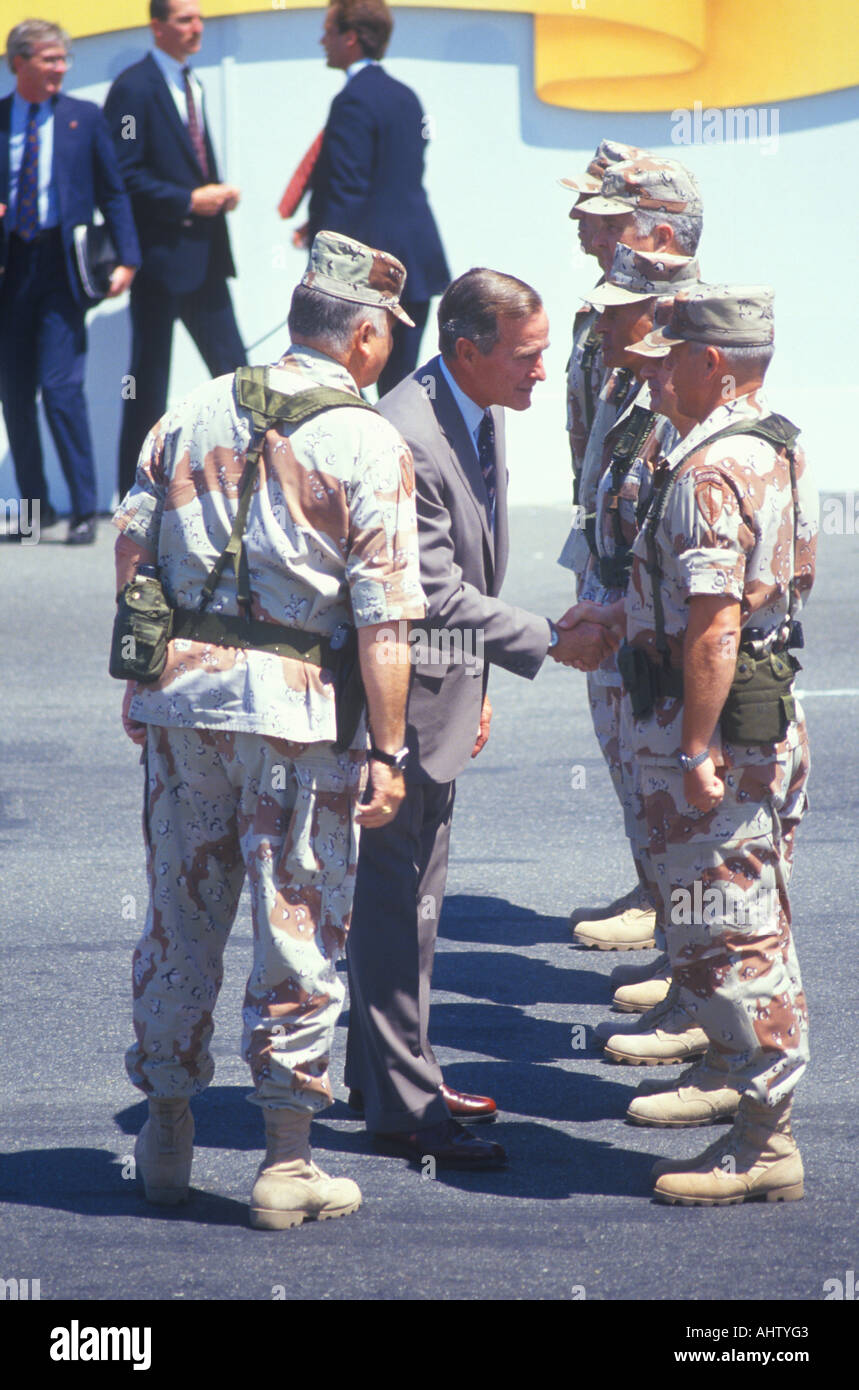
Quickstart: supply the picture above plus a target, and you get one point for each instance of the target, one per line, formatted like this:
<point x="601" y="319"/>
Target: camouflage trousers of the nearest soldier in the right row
<point x="722" y="890"/>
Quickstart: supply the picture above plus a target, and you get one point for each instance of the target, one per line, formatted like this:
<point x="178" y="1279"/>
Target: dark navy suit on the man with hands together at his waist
<point x="187" y="259"/>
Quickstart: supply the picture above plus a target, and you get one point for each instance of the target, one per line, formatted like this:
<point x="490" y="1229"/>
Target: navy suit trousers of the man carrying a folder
<point x="44" y="344"/>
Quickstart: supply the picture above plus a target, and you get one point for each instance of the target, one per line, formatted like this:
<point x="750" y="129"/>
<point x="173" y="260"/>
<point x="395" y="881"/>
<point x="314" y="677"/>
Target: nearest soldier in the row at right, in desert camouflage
<point x="721" y="569"/>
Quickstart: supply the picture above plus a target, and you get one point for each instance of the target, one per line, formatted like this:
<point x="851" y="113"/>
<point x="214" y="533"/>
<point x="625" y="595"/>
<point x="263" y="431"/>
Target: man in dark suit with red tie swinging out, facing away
<point x="368" y="180"/>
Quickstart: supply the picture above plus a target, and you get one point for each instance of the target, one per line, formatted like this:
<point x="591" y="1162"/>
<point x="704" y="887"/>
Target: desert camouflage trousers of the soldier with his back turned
<point x="220" y="807"/>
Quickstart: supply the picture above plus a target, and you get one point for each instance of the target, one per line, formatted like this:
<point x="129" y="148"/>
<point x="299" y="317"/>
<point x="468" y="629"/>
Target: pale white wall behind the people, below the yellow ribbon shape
<point x="786" y="218"/>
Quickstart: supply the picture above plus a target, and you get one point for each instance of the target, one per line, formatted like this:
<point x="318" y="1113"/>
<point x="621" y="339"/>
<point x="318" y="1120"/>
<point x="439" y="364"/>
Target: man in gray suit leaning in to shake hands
<point x="493" y="334"/>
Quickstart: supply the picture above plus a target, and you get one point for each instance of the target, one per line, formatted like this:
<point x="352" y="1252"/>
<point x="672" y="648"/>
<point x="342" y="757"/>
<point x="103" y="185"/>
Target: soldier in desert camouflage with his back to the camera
<point x="244" y="779"/>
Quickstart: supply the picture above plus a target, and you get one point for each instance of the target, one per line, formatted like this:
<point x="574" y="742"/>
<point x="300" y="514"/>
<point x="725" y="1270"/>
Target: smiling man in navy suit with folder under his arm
<point x="56" y="166"/>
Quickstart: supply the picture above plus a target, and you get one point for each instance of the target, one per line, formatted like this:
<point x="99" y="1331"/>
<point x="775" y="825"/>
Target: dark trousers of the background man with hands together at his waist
<point x="209" y="318"/>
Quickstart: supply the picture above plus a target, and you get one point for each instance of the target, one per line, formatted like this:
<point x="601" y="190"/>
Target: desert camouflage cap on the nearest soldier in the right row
<point x="725" y="316"/>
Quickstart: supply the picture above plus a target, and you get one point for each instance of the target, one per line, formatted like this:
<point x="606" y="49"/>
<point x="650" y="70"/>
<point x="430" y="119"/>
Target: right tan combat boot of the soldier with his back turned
<point x="290" y="1188"/>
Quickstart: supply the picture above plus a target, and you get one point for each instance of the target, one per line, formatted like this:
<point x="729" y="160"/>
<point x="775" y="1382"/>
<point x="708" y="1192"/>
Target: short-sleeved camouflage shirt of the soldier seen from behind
<point x="332" y="539"/>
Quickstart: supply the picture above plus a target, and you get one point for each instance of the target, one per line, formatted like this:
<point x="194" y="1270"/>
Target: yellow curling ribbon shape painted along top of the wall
<point x="615" y="55"/>
